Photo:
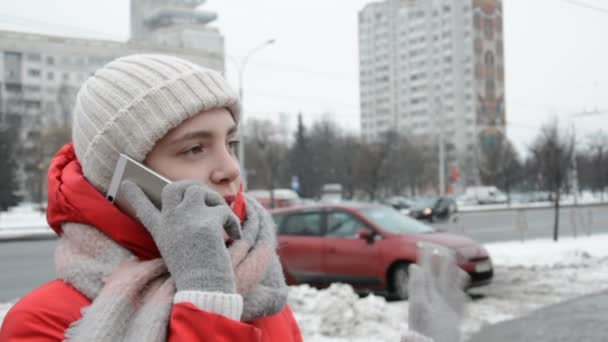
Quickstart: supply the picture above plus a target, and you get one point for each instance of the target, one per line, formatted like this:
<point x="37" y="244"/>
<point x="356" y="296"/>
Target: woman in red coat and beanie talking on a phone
<point x="204" y="267"/>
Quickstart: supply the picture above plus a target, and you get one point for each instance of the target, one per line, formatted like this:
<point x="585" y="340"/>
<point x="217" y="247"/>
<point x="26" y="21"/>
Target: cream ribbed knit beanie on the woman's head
<point x="133" y="101"/>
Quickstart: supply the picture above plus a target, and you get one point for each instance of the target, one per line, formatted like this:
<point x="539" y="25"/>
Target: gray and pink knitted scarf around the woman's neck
<point x="132" y="299"/>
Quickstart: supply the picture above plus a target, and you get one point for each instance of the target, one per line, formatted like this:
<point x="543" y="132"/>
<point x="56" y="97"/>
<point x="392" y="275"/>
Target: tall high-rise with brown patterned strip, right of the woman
<point x="431" y="68"/>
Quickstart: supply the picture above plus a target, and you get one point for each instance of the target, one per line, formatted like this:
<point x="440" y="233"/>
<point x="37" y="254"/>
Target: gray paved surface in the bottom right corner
<point x="581" y="319"/>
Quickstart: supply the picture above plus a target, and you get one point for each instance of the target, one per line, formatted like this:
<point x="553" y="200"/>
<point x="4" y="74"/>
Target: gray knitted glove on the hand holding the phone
<point x="189" y="233"/>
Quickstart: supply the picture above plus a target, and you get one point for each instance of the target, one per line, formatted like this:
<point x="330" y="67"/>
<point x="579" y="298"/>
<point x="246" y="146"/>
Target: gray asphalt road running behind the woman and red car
<point x="24" y="265"/>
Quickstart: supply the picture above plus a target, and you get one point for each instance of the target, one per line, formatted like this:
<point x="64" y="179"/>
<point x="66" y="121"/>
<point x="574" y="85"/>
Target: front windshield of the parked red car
<point x="392" y="221"/>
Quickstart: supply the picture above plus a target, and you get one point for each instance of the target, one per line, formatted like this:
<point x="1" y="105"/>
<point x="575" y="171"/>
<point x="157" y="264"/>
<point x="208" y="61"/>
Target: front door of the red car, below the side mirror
<point x="348" y="258"/>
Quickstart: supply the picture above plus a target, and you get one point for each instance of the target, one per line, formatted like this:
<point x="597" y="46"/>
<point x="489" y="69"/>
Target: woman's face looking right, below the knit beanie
<point x="202" y="148"/>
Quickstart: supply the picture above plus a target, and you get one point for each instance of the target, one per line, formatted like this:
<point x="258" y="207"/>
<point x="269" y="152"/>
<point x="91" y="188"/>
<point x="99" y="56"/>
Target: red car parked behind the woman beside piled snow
<point x="366" y="245"/>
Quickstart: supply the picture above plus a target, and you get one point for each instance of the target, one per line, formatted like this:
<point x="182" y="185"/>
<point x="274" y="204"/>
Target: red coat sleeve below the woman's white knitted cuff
<point x="188" y="323"/>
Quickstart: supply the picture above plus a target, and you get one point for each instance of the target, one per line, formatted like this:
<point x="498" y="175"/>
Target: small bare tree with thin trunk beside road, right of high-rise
<point x="552" y="152"/>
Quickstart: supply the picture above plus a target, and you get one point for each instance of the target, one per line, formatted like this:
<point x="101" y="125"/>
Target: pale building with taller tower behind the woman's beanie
<point x="40" y="74"/>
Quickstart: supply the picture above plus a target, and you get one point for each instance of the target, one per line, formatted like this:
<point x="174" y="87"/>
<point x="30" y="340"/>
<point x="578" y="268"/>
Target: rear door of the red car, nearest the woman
<point x="300" y="246"/>
